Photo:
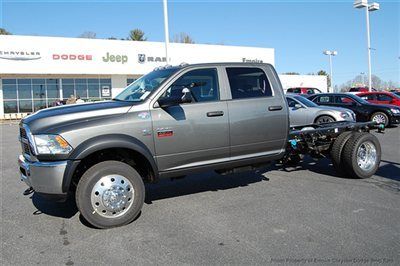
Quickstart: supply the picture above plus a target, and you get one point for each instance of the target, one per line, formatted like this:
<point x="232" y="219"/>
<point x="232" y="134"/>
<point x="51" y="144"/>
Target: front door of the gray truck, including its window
<point x="191" y="134"/>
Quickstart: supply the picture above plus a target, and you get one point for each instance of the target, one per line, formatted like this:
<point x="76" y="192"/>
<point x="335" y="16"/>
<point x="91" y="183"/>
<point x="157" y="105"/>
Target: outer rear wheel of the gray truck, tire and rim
<point x="361" y="155"/>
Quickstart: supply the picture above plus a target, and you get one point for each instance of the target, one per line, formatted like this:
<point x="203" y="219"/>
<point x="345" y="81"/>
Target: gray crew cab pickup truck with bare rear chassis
<point x="174" y="121"/>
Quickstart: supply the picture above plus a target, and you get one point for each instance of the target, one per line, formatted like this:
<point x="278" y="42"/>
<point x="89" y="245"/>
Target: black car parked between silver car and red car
<point x="365" y="111"/>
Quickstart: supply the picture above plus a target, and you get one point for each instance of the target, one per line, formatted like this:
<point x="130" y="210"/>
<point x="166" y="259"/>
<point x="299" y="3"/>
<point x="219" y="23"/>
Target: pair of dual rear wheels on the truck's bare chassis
<point x="356" y="155"/>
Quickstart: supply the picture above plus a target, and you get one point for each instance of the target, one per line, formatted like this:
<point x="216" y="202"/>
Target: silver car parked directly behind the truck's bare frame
<point x="303" y="112"/>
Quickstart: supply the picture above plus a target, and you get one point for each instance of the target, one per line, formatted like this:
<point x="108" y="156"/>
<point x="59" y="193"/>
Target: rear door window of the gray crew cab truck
<point x="247" y="82"/>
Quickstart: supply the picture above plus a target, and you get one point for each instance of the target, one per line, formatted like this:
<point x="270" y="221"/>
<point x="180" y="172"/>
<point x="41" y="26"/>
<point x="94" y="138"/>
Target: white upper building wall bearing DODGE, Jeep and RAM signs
<point x="54" y="55"/>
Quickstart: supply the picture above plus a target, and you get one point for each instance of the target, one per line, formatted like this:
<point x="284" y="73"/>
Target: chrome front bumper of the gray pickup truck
<point x="43" y="177"/>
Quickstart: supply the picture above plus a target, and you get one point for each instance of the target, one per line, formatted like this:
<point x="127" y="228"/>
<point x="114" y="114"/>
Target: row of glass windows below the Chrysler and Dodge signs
<point x="30" y="95"/>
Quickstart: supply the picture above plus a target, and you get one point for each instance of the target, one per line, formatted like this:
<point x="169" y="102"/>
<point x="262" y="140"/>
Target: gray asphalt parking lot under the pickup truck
<point x="303" y="215"/>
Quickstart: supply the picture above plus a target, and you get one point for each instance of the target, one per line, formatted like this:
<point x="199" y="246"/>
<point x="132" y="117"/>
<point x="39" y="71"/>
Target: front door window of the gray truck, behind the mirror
<point x="202" y="83"/>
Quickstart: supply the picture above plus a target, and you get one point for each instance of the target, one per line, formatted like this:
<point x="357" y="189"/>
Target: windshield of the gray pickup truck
<point x="140" y="89"/>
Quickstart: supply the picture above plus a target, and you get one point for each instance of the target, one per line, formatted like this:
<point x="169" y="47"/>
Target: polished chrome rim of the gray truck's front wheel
<point x="112" y="196"/>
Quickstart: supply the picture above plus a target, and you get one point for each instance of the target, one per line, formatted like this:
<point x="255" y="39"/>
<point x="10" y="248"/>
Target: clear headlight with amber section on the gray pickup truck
<point x="51" y="144"/>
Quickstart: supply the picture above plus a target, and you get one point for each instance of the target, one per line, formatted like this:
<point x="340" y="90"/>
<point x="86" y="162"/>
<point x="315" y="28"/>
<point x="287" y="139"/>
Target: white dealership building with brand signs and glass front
<point x="36" y="72"/>
